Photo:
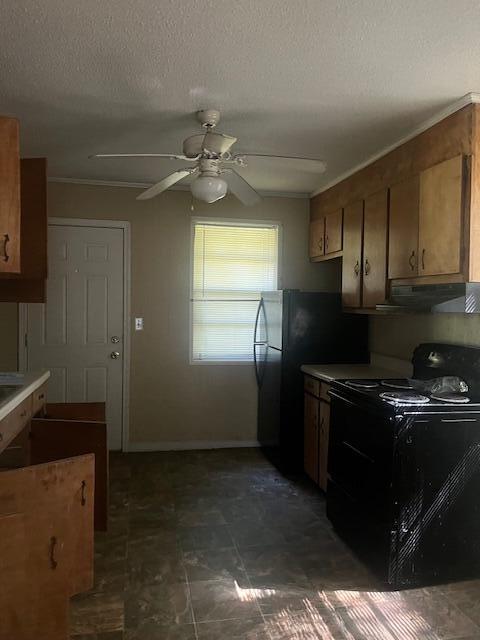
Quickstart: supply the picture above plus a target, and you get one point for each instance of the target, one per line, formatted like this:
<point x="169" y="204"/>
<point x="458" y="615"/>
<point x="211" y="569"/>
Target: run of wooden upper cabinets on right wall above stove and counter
<point x="423" y="224"/>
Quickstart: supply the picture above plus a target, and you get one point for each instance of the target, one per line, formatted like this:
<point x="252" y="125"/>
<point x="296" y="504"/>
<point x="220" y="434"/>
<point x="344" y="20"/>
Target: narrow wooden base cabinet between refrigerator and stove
<point x="316" y="430"/>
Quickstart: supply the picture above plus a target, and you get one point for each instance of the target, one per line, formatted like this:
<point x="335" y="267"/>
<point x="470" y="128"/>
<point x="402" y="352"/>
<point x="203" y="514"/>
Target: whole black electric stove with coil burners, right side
<point x="404" y="468"/>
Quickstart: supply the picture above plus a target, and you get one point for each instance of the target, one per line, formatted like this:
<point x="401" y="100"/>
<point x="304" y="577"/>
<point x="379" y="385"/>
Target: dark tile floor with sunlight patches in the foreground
<point x="214" y="545"/>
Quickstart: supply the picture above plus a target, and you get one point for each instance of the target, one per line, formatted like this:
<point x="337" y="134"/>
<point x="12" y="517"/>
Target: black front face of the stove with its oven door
<point x="360" y="464"/>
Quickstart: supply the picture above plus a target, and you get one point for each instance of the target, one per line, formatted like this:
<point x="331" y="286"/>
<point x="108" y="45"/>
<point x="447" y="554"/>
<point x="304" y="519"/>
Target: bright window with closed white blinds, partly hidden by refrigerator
<point x="232" y="263"/>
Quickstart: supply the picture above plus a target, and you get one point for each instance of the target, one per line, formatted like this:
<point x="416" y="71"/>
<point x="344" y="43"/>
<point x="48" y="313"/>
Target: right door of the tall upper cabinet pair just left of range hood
<point x="375" y="248"/>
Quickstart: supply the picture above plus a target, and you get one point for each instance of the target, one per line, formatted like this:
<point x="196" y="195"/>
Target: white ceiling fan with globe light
<point x="213" y="164"/>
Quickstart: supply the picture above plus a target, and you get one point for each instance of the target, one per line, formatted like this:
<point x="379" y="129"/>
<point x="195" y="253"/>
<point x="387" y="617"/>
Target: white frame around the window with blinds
<point x="232" y="222"/>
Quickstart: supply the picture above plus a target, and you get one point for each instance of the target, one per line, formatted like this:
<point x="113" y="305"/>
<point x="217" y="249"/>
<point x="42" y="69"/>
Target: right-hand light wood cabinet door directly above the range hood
<point x="440" y="218"/>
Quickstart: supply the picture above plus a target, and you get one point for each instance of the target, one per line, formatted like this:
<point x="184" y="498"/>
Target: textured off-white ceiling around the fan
<point x="332" y="79"/>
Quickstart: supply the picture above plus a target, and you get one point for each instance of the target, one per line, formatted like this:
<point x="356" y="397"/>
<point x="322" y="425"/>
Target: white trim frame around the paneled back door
<point x="22" y="311"/>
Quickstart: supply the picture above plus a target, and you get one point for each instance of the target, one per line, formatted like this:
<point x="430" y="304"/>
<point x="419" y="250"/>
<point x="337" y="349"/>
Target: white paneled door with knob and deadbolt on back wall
<point x="78" y="333"/>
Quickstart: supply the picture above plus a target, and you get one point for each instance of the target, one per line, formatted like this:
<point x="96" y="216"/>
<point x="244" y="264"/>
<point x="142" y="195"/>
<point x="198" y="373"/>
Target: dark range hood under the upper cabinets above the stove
<point x="461" y="297"/>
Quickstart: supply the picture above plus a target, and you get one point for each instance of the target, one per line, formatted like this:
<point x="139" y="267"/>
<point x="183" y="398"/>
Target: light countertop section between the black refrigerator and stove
<point x="380" y="367"/>
